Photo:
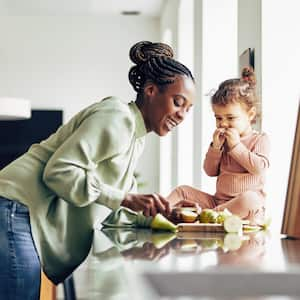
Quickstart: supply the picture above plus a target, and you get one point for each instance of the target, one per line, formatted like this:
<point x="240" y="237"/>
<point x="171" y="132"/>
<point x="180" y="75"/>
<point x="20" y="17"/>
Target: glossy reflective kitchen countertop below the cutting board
<point x="141" y="264"/>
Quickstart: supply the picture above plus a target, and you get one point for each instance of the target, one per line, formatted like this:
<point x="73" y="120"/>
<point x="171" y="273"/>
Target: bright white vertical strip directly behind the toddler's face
<point x="219" y="62"/>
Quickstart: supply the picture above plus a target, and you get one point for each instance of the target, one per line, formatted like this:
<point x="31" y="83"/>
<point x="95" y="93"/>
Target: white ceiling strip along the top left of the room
<point x="150" y="8"/>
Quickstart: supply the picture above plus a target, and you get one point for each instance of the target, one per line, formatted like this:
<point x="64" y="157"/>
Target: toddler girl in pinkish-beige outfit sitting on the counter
<point x="237" y="155"/>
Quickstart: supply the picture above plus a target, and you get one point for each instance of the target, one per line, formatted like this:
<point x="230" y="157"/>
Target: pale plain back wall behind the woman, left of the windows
<point x="70" y="62"/>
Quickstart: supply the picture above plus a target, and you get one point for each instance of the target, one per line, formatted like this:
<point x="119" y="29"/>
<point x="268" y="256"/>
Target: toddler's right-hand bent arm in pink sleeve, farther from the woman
<point x="255" y="161"/>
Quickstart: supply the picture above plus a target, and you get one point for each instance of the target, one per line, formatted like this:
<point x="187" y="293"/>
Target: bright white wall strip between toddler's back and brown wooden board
<point x="280" y="94"/>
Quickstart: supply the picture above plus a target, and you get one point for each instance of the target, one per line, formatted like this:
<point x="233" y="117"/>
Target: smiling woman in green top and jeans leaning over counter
<point x="51" y="196"/>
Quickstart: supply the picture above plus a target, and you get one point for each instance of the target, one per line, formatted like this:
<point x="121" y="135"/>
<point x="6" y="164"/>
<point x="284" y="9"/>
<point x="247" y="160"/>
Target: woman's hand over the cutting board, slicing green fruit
<point x="149" y="204"/>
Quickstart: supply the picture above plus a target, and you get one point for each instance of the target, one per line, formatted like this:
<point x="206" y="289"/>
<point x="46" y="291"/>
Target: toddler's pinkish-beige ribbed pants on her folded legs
<point x="249" y="205"/>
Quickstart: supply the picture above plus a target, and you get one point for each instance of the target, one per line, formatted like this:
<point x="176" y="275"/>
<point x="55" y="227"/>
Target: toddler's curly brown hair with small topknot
<point x="238" y="90"/>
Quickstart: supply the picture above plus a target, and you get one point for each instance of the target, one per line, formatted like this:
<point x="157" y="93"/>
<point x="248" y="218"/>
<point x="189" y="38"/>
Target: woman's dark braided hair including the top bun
<point x="154" y="63"/>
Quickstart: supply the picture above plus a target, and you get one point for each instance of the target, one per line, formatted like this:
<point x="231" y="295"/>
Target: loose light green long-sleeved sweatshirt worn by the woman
<point x="65" y="180"/>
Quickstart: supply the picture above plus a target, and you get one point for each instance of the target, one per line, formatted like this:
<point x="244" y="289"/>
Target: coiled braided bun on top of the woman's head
<point x="144" y="50"/>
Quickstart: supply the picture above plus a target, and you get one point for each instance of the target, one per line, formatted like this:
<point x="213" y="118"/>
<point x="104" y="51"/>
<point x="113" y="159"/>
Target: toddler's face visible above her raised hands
<point x="234" y="115"/>
